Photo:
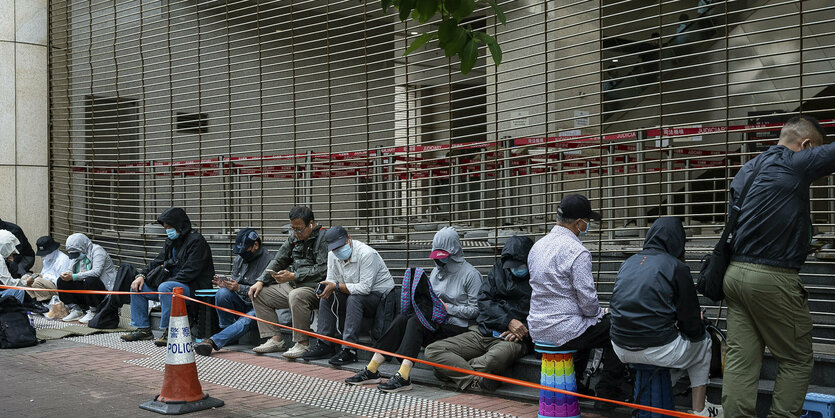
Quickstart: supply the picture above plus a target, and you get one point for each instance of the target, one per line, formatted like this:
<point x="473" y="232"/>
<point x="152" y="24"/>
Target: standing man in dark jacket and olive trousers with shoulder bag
<point x="767" y="304"/>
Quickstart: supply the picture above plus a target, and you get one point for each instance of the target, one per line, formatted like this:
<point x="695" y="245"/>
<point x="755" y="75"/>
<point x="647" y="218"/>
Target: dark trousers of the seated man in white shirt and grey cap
<point x="351" y="309"/>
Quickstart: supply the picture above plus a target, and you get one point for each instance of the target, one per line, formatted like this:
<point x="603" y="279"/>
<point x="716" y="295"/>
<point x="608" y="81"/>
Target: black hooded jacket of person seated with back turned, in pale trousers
<point x="654" y="290"/>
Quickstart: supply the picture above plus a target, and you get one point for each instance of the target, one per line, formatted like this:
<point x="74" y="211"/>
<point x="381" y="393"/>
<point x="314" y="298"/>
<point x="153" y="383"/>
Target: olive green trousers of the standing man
<point x="767" y="307"/>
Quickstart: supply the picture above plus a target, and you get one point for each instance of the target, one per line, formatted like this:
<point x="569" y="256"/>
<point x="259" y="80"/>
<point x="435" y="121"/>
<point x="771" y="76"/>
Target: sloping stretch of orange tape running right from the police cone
<point x="443" y="366"/>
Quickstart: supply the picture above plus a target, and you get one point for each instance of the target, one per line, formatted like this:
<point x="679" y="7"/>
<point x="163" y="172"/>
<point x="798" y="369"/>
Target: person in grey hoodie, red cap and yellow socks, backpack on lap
<point x="442" y="307"/>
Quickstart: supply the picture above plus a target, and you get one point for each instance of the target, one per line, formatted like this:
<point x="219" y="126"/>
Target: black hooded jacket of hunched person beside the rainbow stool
<point x="504" y="296"/>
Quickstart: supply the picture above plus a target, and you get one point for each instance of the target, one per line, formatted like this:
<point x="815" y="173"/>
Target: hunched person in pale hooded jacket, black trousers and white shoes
<point x="90" y="269"/>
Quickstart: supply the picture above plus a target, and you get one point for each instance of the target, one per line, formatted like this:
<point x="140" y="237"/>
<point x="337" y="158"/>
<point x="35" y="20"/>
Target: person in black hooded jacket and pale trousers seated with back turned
<point x="656" y="318"/>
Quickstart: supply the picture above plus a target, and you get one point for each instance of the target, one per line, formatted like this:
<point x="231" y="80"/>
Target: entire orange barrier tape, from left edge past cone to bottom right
<point x="375" y="350"/>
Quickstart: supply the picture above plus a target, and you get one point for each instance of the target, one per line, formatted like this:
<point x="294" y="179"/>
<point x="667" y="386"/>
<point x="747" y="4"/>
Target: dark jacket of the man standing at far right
<point x="774" y="226"/>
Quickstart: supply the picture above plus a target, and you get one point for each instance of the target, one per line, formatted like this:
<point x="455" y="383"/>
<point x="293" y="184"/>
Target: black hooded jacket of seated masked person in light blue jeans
<point x="195" y="266"/>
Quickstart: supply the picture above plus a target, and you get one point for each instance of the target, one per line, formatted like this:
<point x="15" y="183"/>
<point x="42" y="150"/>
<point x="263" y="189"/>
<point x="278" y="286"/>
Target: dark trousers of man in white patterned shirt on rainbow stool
<point x="597" y="336"/>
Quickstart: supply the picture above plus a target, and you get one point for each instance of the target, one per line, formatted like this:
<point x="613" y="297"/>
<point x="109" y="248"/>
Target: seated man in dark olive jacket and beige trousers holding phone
<point x="290" y="281"/>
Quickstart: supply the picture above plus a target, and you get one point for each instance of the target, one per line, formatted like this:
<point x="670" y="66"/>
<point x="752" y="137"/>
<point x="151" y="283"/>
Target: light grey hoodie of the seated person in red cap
<point x="456" y="283"/>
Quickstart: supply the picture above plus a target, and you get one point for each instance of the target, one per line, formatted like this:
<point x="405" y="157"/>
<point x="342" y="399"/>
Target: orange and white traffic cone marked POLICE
<point x="181" y="391"/>
